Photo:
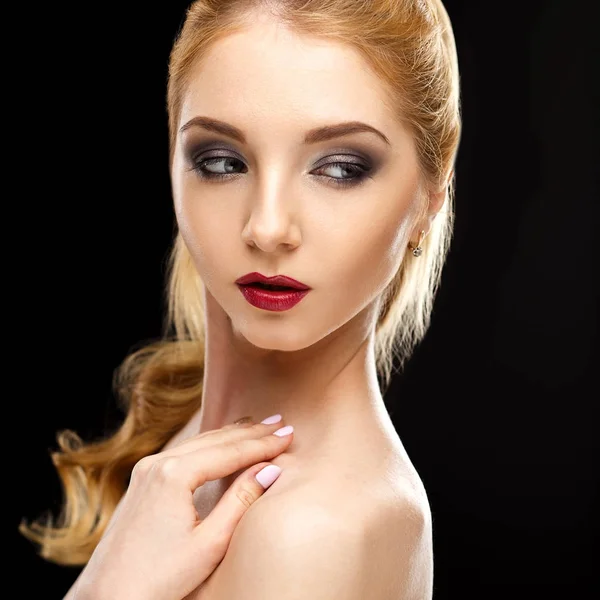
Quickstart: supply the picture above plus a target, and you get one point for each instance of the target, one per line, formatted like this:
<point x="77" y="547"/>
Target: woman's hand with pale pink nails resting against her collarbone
<point x="157" y="547"/>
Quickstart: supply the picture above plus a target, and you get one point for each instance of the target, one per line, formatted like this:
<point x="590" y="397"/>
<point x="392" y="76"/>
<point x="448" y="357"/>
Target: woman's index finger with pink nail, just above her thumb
<point x="220" y="460"/>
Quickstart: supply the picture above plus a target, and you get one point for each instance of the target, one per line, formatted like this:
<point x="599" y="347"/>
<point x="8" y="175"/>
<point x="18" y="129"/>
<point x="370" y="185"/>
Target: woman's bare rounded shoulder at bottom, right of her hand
<point x="346" y="532"/>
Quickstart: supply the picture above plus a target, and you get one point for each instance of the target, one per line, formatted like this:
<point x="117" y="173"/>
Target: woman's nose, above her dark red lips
<point x="272" y="224"/>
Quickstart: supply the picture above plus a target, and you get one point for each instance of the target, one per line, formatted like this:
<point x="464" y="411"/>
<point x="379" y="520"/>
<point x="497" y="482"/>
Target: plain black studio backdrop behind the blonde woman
<point x="497" y="407"/>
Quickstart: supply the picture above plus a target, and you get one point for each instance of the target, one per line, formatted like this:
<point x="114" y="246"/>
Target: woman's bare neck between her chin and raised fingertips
<point x="328" y="387"/>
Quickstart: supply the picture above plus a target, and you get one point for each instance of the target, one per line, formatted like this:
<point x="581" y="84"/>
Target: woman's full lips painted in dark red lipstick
<point x="276" y="293"/>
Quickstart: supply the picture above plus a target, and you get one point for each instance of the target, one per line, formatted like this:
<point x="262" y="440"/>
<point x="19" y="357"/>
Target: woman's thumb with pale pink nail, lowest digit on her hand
<point x="215" y="531"/>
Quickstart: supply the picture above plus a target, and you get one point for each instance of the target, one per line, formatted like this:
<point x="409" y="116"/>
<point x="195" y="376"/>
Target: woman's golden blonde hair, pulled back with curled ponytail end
<point x="410" y="45"/>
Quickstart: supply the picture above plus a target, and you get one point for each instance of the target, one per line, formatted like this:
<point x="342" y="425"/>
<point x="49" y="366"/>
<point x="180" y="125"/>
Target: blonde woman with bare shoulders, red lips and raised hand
<point x="312" y="144"/>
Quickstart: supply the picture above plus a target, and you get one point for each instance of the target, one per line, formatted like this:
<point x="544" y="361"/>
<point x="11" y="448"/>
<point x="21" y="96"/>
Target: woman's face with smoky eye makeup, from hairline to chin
<point x="333" y="212"/>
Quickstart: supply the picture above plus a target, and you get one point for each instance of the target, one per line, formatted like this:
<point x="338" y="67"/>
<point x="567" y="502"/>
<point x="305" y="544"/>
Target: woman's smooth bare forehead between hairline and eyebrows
<point x="268" y="74"/>
